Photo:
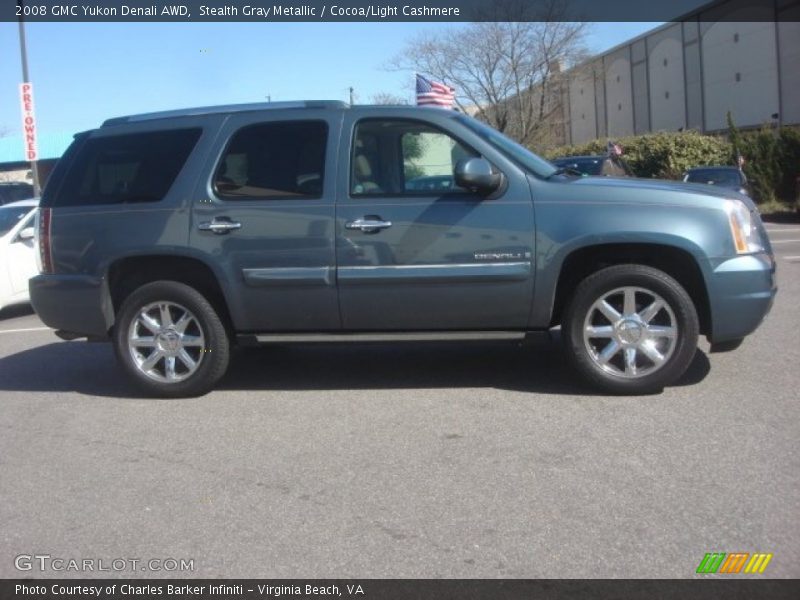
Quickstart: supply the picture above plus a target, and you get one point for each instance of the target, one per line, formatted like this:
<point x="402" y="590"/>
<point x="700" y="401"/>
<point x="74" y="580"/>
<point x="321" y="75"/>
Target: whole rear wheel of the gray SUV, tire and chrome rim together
<point x="170" y="340"/>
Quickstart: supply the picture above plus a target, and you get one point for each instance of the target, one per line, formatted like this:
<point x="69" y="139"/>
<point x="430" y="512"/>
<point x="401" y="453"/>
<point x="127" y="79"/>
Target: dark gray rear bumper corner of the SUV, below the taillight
<point x="78" y="304"/>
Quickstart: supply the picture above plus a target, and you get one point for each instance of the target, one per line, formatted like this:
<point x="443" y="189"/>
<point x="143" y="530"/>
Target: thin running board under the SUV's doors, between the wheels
<point x="413" y="336"/>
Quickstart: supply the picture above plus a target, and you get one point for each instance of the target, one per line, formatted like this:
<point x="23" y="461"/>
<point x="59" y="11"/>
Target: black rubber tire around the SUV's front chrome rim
<point x="646" y="375"/>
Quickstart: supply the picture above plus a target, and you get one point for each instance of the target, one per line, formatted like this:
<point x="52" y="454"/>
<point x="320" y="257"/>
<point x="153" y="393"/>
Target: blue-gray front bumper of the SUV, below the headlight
<point x="741" y="293"/>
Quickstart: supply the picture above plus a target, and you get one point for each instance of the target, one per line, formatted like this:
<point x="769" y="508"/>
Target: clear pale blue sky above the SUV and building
<point x="84" y="73"/>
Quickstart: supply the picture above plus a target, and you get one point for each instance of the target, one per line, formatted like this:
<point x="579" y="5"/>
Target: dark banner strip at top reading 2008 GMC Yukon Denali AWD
<point x="374" y="11"/>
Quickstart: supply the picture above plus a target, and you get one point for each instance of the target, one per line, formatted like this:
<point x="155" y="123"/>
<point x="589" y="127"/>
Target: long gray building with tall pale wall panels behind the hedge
<point x="688" y="74"/>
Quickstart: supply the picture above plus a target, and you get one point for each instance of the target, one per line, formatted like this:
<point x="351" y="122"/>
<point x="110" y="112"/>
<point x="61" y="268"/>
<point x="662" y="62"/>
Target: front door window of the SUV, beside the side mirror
<point x="404" y="157"/>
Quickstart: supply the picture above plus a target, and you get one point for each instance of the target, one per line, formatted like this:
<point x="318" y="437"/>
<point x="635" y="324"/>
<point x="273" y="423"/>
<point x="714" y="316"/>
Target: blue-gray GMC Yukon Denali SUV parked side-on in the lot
<point x="180" y="234"/>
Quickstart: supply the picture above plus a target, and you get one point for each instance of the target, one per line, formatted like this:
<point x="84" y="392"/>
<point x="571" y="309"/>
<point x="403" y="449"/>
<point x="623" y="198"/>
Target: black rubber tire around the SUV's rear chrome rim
<point x="212" y="353"/>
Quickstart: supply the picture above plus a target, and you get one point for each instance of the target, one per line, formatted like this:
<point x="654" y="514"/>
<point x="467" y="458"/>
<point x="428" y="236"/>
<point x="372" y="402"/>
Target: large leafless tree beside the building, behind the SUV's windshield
<point x="508" y="71"/>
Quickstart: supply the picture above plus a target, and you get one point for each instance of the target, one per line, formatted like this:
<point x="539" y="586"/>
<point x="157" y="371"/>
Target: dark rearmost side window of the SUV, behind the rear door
<point x="139" y="167"/>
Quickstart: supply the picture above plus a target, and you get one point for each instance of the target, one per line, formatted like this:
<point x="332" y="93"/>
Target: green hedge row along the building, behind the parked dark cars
<point x="772" y="157"/>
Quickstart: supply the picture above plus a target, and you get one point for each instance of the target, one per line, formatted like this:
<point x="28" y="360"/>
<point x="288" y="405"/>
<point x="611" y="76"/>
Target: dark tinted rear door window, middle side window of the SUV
<point x="274" y="160"/>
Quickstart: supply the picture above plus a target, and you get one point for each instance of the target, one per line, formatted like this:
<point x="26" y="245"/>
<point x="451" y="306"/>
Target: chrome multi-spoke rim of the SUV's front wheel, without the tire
<point x="630" y="332"/>
